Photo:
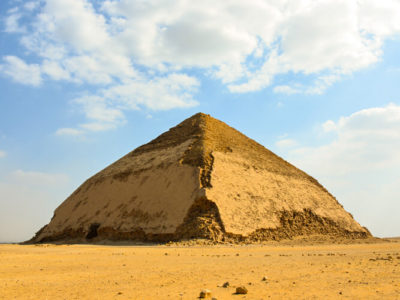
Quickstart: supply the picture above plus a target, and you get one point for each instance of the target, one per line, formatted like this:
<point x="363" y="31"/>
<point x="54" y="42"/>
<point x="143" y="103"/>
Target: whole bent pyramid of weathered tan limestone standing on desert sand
<point x="201" y="179"/>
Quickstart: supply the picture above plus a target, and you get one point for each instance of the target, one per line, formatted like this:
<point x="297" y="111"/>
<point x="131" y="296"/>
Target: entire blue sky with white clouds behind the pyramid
<point x="84" y="82"/>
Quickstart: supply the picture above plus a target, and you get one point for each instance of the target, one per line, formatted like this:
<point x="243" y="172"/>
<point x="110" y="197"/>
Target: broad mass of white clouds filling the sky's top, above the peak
<point x="143" y="47"/>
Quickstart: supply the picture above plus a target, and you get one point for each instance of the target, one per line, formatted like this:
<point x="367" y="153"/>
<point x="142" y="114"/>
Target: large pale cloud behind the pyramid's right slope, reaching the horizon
<point x="360" y="165"/>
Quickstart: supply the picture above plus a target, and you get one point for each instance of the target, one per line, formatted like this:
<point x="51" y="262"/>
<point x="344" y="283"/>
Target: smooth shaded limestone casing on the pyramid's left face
<point x="155" y="199"/>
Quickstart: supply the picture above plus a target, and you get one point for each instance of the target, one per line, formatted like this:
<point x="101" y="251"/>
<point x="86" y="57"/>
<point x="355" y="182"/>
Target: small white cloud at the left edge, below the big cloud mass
<point x="20" y="71"/>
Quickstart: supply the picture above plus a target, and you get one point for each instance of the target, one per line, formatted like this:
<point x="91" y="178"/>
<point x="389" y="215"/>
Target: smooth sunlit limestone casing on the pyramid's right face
<point x="250" y="198"/>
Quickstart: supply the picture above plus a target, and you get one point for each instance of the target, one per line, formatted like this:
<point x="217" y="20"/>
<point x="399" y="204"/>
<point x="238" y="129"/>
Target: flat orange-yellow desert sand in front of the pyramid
<point x="358" y="271"/>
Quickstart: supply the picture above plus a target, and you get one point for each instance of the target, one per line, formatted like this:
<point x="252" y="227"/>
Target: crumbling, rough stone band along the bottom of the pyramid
<point x="204" y="222"/>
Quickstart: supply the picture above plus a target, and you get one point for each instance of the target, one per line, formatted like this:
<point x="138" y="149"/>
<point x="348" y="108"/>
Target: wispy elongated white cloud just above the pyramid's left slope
<point x="105" y="110"/>
